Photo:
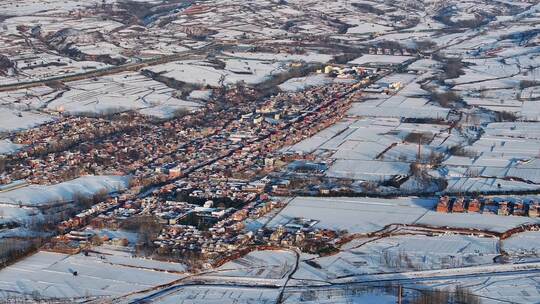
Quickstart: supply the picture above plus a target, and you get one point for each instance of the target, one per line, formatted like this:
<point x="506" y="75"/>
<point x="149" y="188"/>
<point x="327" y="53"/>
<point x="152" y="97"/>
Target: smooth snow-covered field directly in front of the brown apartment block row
<point x="363" y="215"/>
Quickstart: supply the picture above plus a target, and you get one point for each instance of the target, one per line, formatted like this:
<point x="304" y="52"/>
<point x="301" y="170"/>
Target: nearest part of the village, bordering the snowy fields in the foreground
<point x="210" y="231"/>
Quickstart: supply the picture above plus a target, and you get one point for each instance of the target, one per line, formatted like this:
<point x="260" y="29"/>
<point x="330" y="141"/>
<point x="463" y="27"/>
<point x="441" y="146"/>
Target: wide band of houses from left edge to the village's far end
<point x="213" y="142"/>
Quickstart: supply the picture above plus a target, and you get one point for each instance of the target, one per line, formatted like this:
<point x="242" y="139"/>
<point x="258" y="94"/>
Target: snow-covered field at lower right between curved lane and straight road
<point x="399" y="254"/>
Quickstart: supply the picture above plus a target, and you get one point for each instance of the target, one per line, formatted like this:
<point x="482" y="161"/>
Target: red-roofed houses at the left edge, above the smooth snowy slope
<point x="40" y="160"/>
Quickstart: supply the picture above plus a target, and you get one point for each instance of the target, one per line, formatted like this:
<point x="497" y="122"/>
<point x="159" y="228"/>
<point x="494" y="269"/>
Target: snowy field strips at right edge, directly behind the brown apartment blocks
<point x="504" y="158"/>
